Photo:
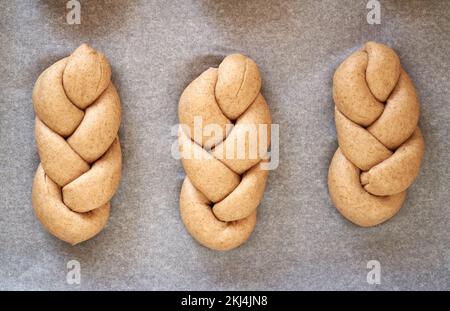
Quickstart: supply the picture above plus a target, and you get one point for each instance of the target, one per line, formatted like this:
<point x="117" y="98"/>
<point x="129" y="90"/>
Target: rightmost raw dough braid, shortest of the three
<point x="380" y="146"/>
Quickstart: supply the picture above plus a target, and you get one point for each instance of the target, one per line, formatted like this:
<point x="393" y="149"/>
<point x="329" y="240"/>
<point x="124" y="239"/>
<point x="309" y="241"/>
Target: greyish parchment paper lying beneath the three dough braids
<point x="156" y="49"/>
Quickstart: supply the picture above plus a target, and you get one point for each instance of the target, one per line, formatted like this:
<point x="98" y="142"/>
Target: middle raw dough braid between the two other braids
<point x="221" y="193"/>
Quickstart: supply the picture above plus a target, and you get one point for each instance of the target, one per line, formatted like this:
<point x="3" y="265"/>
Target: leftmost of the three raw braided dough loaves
<point x="77" y="119"/>
